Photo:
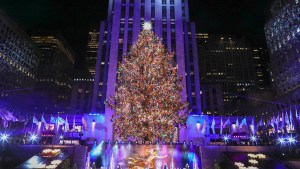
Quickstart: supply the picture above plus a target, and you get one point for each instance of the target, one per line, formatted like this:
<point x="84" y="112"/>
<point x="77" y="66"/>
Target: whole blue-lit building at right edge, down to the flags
<point x="282" y="32"/>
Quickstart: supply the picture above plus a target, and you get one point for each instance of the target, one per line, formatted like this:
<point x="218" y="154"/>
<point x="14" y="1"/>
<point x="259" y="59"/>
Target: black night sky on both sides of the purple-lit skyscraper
<point x="73" y="18"/>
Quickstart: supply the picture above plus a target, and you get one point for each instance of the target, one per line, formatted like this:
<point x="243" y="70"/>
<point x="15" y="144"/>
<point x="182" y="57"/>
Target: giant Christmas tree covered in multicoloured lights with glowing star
<point x="147" y="101"/>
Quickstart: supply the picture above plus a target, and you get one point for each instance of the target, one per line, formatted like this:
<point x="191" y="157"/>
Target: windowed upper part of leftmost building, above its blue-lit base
<point x="19" y="57"/>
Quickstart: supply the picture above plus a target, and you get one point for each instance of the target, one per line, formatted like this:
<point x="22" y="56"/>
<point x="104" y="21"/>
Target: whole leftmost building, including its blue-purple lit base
<point x="19" y="59"/>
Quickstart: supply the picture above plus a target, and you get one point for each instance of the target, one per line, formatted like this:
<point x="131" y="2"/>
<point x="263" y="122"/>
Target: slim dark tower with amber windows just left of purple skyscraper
<point x="91" y="52"/>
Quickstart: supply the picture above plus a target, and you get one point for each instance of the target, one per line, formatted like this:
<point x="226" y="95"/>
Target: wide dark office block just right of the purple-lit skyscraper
<point x="226" y="61"/>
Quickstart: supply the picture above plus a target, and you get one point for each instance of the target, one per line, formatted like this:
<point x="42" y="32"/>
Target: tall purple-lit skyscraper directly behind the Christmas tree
<point x="170" y="21"/>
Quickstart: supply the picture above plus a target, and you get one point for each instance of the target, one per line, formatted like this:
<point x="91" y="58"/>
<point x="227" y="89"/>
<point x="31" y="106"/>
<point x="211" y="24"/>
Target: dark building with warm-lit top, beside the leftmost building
<point x="54" y="79"/>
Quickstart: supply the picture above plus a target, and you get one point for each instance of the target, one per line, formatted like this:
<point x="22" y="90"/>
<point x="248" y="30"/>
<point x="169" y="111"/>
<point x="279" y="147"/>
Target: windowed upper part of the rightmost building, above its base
<point x="282" y="34"/>
